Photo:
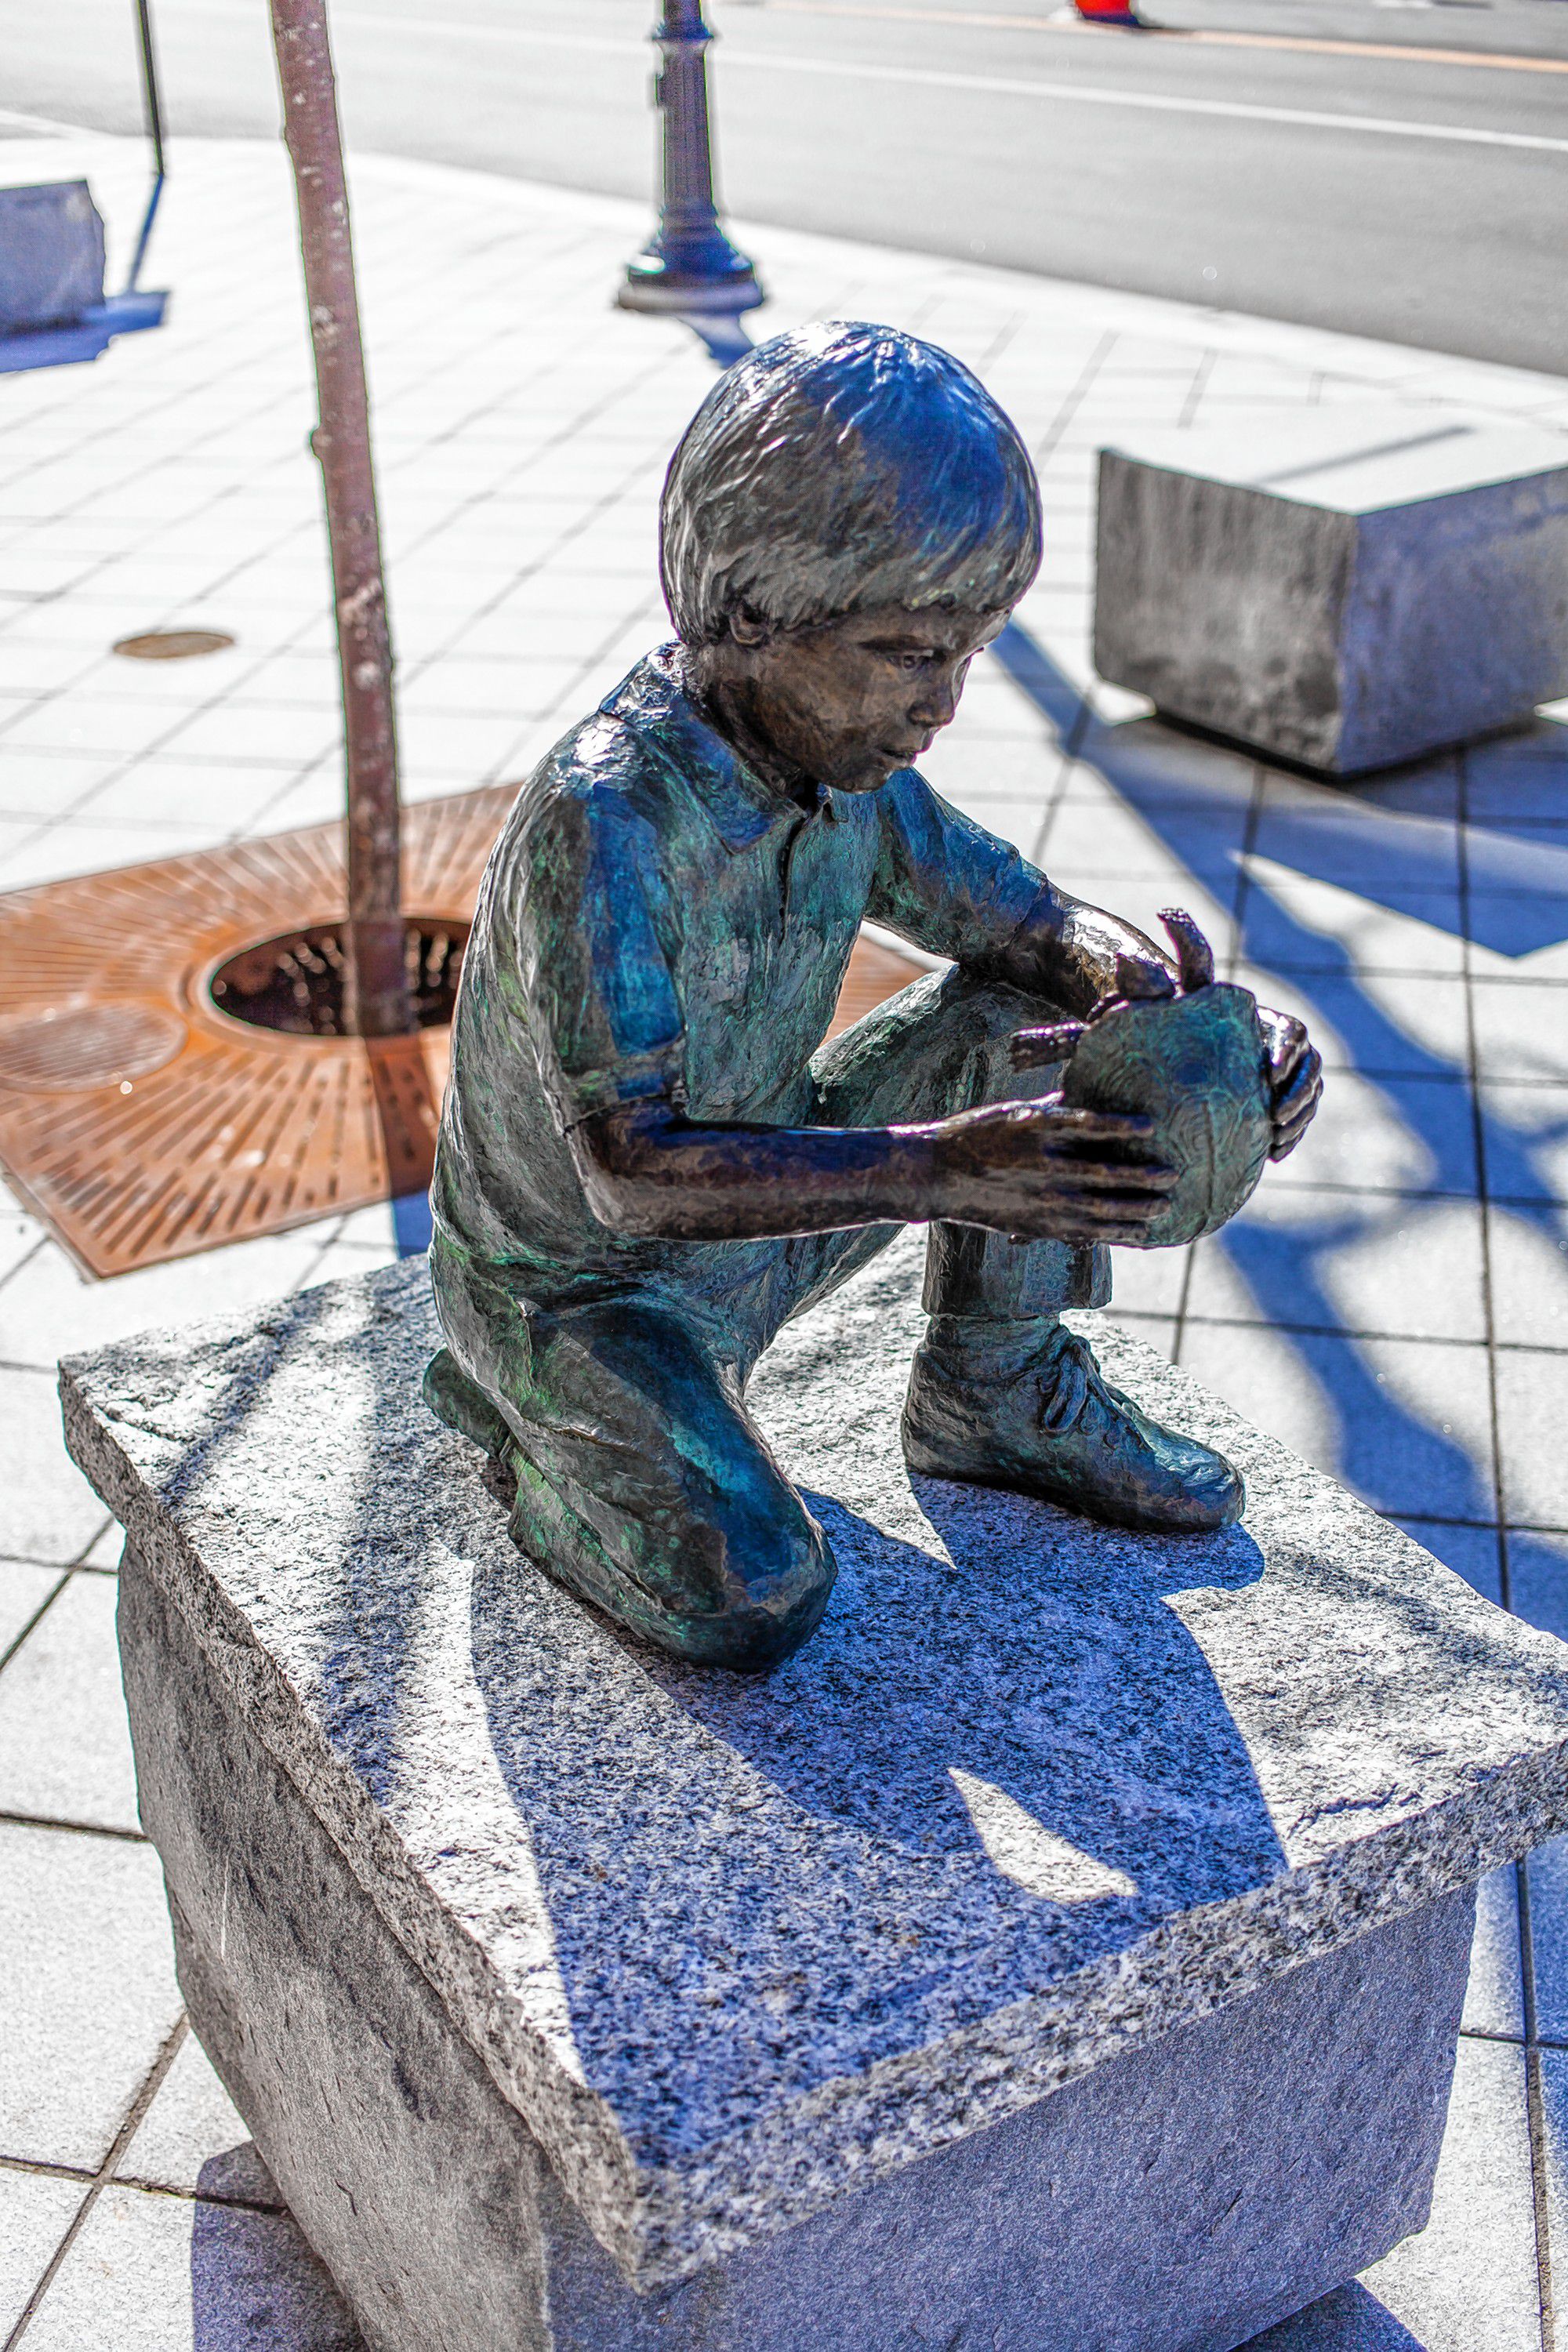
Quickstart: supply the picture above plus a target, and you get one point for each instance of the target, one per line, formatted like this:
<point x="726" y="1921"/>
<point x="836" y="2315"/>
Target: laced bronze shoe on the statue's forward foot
<point x="1026" y="1405"/>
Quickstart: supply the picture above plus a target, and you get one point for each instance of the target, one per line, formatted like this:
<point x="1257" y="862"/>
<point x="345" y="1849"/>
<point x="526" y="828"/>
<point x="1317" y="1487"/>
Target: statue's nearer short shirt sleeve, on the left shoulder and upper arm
<point x="601" y="996"/>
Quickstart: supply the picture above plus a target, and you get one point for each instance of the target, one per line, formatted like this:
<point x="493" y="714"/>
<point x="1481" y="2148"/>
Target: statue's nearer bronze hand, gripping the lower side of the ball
<point x="1045" y="1172"/>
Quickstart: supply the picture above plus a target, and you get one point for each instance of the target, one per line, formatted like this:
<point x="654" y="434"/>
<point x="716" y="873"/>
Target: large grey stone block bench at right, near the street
<point x="1341" y="589"/>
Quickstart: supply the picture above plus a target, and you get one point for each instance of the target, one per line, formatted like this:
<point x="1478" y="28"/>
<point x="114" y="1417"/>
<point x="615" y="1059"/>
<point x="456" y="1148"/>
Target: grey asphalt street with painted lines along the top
<point x="1391" y="168"/>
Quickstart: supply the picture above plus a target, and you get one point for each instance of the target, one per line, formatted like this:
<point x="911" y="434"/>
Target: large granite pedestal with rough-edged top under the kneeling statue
<point x="1064" y="1953"/>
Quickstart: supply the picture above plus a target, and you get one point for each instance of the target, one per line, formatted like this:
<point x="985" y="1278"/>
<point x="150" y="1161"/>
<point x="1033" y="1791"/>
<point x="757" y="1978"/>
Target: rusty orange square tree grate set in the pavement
<point x="142" y="1123"/>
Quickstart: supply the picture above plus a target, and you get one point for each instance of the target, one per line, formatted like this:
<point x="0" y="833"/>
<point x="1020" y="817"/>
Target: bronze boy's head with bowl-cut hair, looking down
<point x="845" y="523"/>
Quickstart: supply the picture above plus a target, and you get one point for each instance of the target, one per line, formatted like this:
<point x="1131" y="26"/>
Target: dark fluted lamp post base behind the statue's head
<point x="688" y="267"/>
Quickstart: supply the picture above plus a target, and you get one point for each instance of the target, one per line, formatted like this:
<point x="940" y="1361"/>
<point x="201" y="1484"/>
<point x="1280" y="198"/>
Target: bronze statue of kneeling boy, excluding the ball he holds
<point x="650" y="1161"/>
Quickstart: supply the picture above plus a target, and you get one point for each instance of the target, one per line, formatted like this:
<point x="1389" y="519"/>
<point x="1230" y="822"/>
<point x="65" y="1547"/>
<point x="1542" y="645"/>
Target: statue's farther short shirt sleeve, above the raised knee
<point x="946" y="883"/>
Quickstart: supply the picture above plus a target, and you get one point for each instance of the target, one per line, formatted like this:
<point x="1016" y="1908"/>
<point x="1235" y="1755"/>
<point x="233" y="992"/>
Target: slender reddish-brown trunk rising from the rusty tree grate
<point x="377" y="989"/>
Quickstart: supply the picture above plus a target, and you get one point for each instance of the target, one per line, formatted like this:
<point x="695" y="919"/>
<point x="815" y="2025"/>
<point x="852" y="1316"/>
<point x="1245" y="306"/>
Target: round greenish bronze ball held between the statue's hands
<point x="1198" y="1069"/>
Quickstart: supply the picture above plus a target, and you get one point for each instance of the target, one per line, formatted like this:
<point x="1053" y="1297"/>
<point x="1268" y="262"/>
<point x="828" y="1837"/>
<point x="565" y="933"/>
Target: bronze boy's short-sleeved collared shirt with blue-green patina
<point x="657" y="923"/>
